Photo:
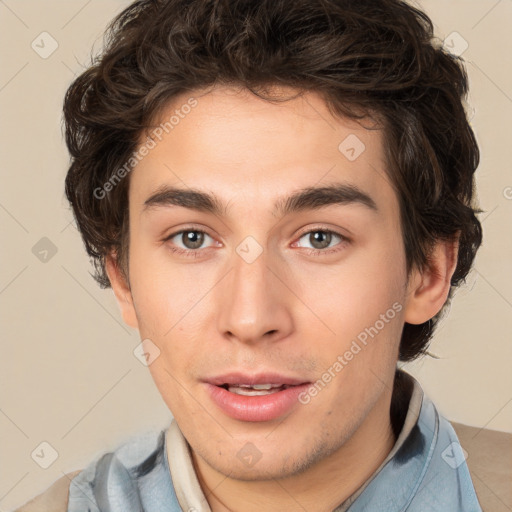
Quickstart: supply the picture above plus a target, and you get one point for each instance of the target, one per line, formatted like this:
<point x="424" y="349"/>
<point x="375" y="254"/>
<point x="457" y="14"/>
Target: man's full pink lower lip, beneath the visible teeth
<point x="256" y="408"/>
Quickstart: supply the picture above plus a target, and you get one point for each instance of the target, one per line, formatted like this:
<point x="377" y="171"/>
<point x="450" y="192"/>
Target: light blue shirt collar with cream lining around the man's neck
<point x="426" y="471"/>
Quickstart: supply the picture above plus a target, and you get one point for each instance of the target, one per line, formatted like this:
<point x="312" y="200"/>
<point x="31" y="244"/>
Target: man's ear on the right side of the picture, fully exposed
<point x="428" y="289"/>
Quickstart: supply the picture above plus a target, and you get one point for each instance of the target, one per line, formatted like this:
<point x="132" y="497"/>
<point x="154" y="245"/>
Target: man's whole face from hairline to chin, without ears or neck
<point x="254" y="289"/>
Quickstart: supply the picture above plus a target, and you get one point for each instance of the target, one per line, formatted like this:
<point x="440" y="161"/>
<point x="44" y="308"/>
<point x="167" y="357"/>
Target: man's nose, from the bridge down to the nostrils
<point x="254" y="303"/>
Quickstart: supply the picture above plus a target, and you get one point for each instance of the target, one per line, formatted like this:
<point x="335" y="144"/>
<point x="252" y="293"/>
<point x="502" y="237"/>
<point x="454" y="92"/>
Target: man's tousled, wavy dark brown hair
<point x="366" y="58"/>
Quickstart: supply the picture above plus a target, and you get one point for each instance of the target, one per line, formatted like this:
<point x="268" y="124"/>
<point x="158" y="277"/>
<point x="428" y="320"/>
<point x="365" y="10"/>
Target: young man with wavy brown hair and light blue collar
<point x="280" y="195"/>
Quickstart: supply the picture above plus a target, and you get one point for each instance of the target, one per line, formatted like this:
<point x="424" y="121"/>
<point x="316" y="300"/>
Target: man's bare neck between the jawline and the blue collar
<point x="348" y="469"/>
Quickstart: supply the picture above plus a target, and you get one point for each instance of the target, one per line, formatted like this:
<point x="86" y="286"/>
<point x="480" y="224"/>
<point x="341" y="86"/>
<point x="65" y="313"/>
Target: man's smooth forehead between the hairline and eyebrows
<point x="249" y="151"/>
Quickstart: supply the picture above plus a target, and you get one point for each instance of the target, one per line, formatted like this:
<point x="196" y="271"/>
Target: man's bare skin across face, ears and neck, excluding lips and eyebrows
<point x="289" y="311"/>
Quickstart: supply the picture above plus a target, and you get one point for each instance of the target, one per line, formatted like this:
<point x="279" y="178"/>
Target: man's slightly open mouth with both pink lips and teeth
<point x="255" y="398"/>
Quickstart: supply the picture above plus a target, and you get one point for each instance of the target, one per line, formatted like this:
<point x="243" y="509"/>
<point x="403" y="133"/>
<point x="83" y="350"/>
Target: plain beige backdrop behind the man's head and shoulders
<point x="69" y="376"/>
